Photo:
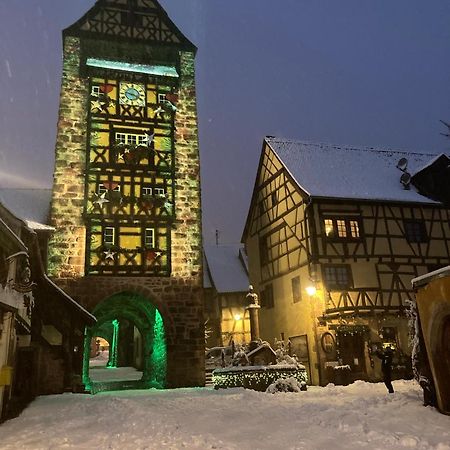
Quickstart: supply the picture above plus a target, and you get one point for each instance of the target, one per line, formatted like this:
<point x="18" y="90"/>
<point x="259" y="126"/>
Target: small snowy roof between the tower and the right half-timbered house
<point x="225" y="268"/>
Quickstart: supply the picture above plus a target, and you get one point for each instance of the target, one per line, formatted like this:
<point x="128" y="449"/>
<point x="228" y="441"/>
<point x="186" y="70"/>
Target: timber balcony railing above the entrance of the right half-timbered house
<point x="356" y="300"/>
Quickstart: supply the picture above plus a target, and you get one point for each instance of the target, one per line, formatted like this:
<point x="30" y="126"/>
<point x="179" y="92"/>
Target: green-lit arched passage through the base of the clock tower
<point x="131" y="309"/>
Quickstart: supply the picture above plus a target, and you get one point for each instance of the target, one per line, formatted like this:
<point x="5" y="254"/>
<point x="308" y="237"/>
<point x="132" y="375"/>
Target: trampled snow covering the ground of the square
<point x="359" y="416"/>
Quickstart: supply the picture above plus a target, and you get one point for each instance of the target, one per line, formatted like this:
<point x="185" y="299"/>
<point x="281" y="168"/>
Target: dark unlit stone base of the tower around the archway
<point x="180" y="303"/>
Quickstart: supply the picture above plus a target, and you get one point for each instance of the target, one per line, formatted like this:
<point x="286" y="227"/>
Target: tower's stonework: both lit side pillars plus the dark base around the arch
<point x="179" y="297"/>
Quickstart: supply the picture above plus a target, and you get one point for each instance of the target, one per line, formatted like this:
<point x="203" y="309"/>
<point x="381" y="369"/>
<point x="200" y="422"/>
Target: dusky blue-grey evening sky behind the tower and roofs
<point x="363" y="72"/>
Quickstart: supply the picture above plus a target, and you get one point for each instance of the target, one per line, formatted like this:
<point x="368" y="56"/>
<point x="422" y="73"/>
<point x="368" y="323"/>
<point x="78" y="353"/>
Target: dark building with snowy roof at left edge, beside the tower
<point x="41" y="326"/>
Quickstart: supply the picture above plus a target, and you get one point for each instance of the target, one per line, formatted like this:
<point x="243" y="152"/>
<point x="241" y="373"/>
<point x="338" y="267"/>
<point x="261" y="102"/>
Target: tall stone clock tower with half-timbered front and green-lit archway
<point x="126" y="194"/>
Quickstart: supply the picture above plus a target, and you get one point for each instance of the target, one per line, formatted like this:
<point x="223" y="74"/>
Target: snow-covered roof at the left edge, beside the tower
<point x="30" y="205"/>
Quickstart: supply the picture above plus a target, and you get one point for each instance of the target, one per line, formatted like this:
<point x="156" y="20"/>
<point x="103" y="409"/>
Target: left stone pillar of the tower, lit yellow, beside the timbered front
<point x="66" y="247"/>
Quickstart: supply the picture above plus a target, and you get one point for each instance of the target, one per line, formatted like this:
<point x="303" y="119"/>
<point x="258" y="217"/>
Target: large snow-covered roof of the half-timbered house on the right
<point x="348" y="172"/>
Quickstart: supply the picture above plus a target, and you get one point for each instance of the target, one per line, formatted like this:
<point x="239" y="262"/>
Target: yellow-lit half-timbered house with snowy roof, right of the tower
<point x="334" y="236"/>
